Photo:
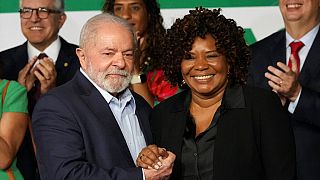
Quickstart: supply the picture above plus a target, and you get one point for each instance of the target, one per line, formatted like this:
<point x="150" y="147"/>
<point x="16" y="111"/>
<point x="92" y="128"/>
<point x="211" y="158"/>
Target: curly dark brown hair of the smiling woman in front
<point x="229" y="41"/>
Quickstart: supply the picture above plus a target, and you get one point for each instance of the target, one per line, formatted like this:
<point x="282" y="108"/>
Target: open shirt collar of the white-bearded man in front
<point x="125" y="97"/>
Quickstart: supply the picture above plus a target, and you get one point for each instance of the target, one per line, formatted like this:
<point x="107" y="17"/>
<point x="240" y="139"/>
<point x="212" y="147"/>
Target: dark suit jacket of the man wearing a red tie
<point x="306" y="117"/>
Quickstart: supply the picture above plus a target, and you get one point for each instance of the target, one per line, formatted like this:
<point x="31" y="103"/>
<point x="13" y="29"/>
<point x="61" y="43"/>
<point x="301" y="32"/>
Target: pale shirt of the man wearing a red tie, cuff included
<point x="307" y="40"/>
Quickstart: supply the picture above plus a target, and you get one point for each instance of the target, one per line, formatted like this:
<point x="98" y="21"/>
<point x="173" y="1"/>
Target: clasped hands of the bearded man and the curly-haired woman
<point x="157" y="162"/>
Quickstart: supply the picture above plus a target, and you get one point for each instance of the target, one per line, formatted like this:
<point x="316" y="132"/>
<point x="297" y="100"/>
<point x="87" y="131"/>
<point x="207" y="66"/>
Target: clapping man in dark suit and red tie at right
<point x="288" y="63"/>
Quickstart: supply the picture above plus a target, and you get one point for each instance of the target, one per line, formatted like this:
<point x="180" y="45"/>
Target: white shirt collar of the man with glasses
<point x="52" y="50"/>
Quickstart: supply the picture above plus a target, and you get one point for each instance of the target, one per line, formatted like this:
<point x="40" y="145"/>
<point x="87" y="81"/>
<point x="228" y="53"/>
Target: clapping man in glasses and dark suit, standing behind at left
<point x="41" y="21"/>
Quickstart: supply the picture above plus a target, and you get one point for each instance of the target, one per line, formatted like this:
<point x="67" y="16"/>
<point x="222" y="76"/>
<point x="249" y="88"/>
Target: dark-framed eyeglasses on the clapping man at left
<point x="42" y="13"/>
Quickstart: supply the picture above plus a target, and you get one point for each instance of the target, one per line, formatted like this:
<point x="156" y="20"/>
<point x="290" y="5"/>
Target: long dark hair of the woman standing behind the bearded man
<point x="154" y="34"/>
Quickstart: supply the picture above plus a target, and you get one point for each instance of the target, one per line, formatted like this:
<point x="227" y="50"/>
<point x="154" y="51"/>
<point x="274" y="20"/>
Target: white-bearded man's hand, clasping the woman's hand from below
<point x="164" y="172"/>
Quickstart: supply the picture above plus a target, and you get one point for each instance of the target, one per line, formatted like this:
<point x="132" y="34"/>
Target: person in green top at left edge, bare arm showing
<point x="13" y="125"/>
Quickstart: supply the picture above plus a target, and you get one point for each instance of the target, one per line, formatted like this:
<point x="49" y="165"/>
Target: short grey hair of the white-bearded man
<point x="90" y="28"/>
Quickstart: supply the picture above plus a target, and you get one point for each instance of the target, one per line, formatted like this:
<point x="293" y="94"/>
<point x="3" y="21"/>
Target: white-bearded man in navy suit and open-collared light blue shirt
<point x="95" y="125"/>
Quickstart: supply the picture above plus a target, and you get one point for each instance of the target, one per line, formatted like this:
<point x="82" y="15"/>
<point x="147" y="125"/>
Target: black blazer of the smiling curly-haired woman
<point x="254" y="140"/>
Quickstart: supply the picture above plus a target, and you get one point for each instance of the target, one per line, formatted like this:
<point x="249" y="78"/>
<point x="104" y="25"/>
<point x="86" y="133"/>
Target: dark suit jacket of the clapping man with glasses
<point x="13" y="60"/>
